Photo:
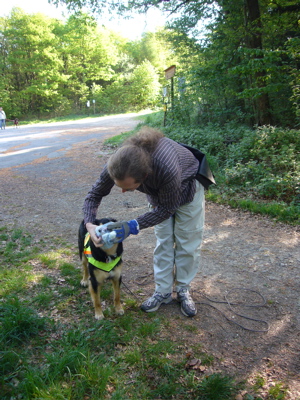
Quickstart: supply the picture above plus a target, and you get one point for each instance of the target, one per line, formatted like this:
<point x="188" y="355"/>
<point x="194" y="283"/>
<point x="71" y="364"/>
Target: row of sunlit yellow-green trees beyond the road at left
<point x="50" y="67"/>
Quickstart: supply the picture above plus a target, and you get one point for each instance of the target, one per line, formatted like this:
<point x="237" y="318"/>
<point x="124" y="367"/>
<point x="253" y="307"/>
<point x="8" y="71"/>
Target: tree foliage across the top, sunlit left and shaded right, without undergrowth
<point x="239" y="65"/>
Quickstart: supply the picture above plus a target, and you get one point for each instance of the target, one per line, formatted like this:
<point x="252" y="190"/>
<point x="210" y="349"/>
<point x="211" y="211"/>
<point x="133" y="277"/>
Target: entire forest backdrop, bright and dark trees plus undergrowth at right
<point x="235" y="94"/>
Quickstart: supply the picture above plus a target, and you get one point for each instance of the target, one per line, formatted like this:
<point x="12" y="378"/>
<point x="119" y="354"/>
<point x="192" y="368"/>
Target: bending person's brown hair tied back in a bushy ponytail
<point x="133" y="159"/>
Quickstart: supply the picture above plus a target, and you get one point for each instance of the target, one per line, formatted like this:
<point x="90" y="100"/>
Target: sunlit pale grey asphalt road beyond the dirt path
<point x="22" y="145"/>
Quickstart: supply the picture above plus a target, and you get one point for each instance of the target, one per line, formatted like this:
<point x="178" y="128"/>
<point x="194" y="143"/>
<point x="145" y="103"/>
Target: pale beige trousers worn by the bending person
<point x="177" y="251"/>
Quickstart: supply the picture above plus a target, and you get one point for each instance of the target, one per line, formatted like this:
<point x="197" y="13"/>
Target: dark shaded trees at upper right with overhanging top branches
<point x="253" y="68"/>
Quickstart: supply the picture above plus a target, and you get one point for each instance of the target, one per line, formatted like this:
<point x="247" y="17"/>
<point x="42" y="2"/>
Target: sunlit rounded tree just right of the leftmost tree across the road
<point x="88" y="55"/>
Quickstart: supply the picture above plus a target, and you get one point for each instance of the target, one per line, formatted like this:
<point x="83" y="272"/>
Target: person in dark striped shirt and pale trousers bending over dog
<point x="165" y="171"/>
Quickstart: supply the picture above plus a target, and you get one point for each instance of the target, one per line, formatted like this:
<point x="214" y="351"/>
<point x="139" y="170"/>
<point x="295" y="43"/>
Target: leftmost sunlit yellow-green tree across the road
<point x="30" y="63"/>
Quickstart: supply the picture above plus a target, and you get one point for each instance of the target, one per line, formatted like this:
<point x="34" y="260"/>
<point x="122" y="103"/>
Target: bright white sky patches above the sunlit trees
<point x="132" y="29"/>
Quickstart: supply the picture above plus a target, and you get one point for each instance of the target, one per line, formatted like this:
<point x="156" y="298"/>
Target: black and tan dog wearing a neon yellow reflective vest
<point x="98" y="266"/>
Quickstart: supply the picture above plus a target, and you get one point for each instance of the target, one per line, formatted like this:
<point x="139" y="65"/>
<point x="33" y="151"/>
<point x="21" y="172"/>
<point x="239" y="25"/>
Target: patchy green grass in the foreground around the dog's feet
<point x="53" y="348"/>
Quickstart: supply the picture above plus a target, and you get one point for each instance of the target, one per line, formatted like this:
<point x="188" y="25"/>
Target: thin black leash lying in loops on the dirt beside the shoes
<point x="230" y="305"/>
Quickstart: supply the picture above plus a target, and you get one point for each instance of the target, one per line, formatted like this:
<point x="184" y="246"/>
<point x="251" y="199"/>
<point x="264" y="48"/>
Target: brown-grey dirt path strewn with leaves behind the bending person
<point x="239" y="251"/>
